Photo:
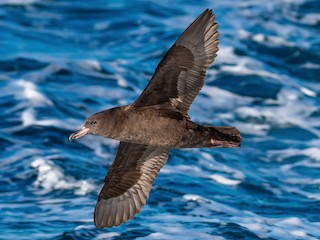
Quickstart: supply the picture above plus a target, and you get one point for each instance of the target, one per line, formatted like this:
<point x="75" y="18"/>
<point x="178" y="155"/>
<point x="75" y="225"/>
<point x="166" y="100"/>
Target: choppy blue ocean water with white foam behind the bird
<point x="61" y="61"/>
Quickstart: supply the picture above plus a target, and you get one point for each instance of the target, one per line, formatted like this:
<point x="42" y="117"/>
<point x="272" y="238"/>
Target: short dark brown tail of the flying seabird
<point x="228" y="137"/>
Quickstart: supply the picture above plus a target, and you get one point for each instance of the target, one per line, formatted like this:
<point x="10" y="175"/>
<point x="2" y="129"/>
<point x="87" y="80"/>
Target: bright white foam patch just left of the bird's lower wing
<point x="51" y="177"/>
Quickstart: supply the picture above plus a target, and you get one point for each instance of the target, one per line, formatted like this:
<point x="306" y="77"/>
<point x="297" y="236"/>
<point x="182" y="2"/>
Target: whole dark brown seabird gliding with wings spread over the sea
<point x="157" y="121"/>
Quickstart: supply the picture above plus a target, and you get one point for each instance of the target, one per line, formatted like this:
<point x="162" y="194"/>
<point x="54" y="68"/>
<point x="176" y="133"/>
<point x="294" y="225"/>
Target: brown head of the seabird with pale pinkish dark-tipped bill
<point x="92" y="125"/>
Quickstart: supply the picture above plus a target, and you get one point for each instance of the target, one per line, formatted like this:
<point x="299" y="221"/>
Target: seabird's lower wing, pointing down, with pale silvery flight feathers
<point x="128" y="183"/>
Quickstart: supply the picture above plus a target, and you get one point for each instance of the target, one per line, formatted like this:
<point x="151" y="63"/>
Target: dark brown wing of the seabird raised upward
<point x="180" y="75"/>
